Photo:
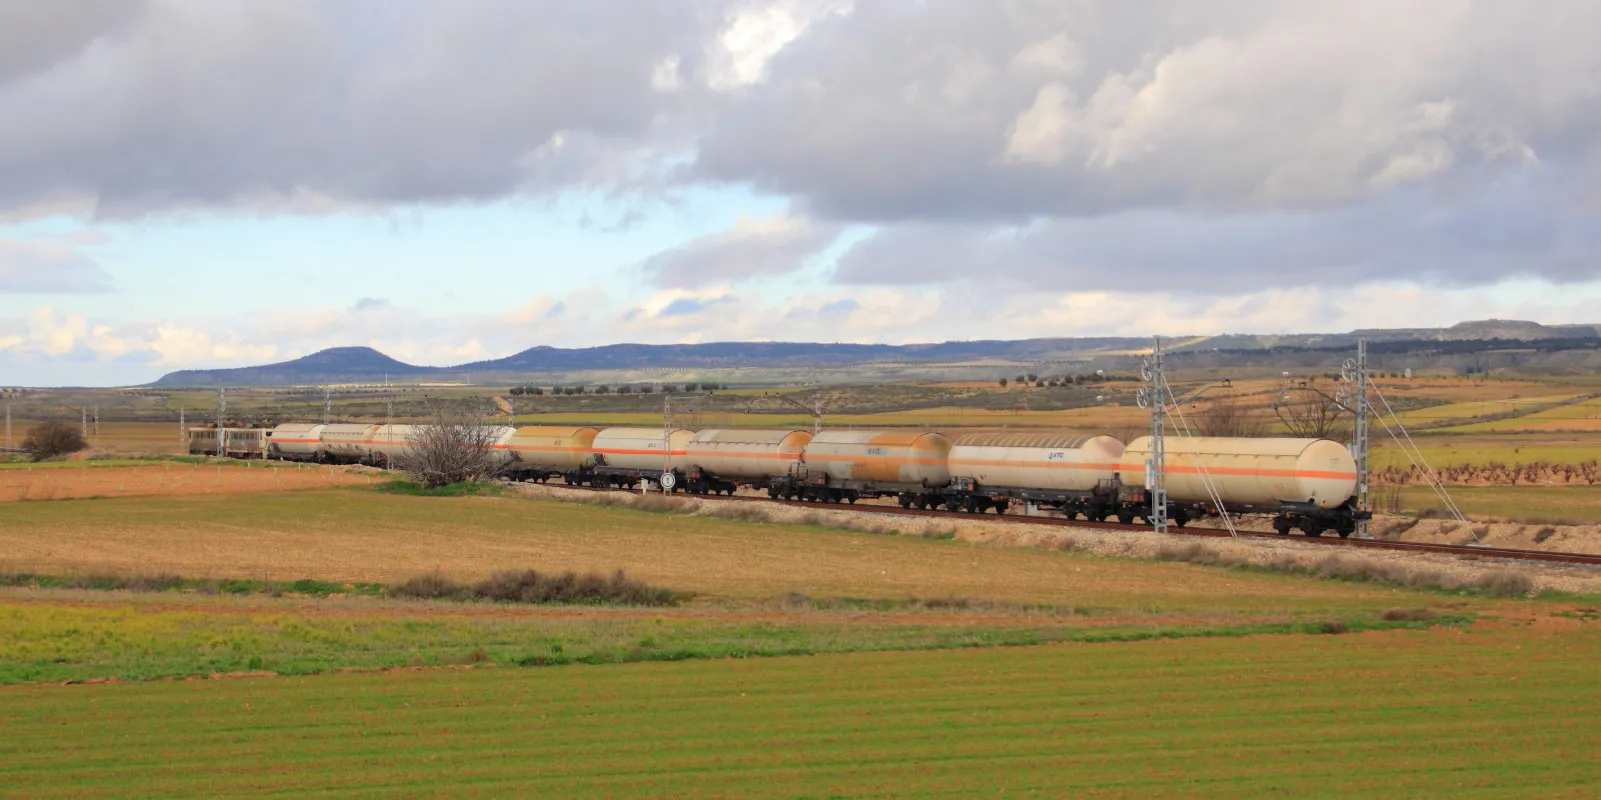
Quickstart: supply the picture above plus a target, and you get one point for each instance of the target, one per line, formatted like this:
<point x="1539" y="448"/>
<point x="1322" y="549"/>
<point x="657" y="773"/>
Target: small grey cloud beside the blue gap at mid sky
<point x="752" y="249"/>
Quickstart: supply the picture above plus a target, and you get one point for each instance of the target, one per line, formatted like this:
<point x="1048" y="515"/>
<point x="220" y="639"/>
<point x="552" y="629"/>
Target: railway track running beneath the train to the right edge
<point x="1472" y="551"/>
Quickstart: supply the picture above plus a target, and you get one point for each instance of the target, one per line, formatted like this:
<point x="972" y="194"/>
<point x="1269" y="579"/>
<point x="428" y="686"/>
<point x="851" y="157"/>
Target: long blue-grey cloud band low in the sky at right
<point x="1427" y="233"/>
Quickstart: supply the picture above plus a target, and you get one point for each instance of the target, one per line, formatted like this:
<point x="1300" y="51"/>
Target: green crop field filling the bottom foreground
<point x="1504" y="714"/>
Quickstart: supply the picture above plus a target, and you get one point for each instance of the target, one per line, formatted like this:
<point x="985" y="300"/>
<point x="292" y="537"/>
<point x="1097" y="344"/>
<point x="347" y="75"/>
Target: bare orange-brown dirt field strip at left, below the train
<point x="167" y="479"/>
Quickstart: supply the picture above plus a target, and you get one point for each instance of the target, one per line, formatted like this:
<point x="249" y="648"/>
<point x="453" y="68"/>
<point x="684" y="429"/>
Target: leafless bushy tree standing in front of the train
<point x="454" y="444"/>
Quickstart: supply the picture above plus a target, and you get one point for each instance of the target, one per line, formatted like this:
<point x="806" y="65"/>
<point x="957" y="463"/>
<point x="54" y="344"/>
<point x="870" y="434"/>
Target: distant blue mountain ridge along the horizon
<point x="369" y="366"/>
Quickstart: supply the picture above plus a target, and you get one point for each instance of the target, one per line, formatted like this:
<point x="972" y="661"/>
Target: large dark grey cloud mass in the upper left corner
<point x="313" y="106"/>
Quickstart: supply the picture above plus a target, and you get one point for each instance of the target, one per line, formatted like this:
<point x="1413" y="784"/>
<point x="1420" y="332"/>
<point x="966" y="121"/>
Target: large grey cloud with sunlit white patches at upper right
<point x="974" y="113"/>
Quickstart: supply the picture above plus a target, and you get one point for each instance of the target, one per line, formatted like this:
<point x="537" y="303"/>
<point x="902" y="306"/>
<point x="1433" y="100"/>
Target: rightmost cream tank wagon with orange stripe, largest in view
<point x="1307" y="484"/>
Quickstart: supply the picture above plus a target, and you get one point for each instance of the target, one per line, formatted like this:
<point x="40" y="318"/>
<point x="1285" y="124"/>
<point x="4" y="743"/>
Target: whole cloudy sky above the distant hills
<point x="223" y="183"/>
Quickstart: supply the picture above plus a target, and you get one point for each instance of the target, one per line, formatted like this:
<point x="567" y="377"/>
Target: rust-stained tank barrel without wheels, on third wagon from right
<point x="880" y="457"/>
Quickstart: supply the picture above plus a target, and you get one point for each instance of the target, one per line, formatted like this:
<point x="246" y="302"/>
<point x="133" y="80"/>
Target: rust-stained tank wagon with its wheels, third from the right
<point x="851" y="465"/>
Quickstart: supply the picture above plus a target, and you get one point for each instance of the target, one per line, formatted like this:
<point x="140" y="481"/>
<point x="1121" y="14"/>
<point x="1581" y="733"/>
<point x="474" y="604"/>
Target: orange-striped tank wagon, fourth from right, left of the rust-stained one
<point x="724" y="460"/>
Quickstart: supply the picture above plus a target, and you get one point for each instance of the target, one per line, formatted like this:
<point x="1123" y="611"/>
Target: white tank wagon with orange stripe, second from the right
<point x="1073" y="473"/>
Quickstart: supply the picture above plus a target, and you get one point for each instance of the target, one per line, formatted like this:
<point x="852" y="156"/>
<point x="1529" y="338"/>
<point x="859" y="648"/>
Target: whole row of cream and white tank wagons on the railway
<point x="1306" y="484"/>
